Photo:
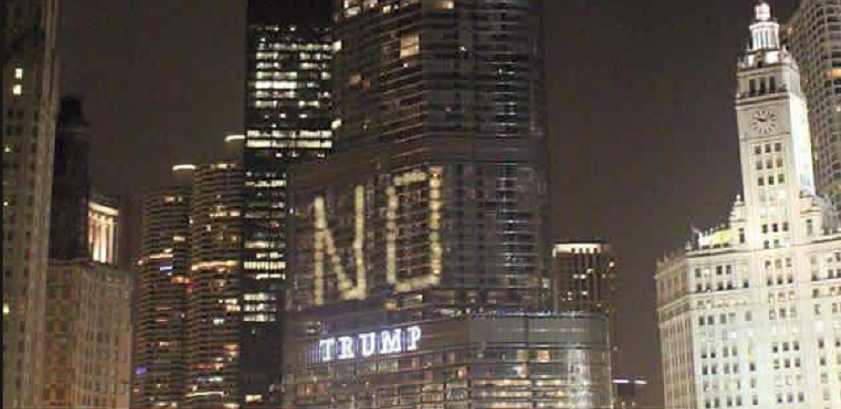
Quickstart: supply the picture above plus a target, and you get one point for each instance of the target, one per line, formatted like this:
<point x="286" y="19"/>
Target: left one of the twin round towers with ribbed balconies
<point x="160" y="367"/>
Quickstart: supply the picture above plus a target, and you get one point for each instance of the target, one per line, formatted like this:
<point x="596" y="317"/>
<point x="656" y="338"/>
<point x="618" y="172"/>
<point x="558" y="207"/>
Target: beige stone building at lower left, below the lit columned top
<point x="88" y="338"/>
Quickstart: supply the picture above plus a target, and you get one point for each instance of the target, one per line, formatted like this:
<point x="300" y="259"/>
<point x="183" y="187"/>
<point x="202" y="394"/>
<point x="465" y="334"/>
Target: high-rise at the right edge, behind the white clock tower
<point x="814" y="38"/>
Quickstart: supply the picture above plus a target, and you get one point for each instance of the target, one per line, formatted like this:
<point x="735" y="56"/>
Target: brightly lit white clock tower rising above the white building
<point x="776" y="153"/>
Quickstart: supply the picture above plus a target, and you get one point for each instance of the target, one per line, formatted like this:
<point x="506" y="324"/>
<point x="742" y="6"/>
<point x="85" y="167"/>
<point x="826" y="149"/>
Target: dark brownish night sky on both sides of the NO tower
<point x="644" y="141"/>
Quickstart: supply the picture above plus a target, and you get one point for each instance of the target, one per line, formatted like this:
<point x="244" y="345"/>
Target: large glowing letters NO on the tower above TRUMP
<point x="325" y="244"/>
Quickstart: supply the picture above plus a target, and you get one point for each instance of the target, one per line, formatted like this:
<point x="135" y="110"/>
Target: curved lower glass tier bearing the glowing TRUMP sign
<point x="476" y="361"/>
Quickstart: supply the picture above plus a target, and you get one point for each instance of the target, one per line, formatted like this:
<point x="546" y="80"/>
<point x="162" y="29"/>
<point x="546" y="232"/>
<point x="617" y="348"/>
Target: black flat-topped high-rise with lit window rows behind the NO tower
<point x="287" y="120"/>
